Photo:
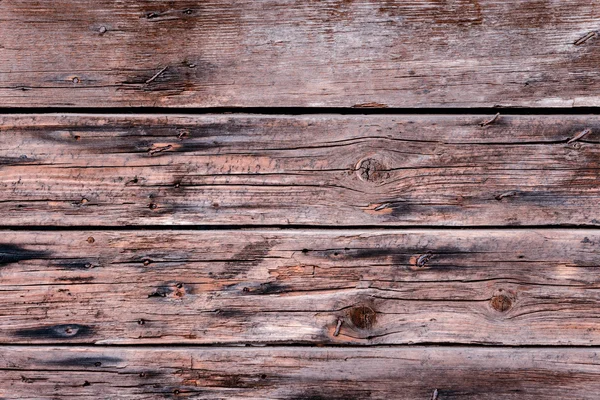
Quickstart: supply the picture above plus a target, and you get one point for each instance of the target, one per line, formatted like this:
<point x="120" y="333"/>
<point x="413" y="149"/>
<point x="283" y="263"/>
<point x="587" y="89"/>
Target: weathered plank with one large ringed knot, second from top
<point x="320" y="170"/>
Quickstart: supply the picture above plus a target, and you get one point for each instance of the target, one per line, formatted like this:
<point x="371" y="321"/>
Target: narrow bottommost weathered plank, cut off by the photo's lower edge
<point x="300" y="373"/>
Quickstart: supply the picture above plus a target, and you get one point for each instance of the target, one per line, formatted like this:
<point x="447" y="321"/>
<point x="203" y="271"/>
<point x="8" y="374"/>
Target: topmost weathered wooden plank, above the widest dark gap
<point x="341" y="53"/>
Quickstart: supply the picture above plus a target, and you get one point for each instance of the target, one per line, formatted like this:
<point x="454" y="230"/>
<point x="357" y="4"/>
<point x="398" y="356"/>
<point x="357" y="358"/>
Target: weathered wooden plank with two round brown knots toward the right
<point x="360" y="287"/>
